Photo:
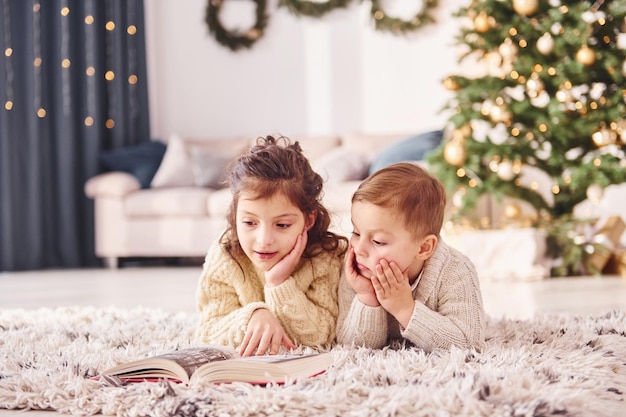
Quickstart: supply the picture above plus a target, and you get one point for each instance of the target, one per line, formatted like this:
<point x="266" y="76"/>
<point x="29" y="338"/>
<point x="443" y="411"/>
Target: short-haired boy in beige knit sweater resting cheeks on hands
<point x="400" y="280"/>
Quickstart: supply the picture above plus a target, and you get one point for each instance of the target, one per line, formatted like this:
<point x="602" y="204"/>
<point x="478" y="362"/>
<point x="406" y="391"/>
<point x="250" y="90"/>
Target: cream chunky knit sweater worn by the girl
<point x="305" y="304"/>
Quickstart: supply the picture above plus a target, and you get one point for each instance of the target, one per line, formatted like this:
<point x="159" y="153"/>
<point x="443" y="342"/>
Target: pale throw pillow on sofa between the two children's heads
<point x="342" y="164"/>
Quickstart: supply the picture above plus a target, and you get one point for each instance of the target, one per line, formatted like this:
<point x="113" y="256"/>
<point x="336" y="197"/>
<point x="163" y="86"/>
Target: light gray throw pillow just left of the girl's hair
<point x="209" y="167"/>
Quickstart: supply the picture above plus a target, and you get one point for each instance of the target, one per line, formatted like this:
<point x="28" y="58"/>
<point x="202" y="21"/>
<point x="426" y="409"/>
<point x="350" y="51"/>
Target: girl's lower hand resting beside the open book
<point x="264" y="335"/>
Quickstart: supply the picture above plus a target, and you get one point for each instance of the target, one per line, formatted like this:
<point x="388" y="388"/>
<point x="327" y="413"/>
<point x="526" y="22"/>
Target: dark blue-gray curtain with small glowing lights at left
<point x="72" y="83"/>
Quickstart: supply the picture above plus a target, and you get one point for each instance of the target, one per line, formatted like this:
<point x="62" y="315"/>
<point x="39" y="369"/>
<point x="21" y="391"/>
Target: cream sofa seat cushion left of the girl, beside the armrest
<point x="180" y="201"/>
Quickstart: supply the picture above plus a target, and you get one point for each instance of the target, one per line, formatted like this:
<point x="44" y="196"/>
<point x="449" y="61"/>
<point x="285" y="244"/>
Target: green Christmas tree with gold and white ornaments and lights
<point x="552" y="103"/>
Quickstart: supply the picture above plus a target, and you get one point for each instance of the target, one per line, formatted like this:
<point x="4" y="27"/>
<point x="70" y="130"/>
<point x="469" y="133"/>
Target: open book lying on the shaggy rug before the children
<point x="220" y="364"/>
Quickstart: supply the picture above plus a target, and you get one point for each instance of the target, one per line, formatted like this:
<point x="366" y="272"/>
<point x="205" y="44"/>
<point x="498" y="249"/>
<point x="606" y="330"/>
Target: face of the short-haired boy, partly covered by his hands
<point x="378" y="234"/>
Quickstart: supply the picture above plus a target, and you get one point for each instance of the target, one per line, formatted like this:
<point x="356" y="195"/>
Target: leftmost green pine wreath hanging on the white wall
<point x="233" y="39"/>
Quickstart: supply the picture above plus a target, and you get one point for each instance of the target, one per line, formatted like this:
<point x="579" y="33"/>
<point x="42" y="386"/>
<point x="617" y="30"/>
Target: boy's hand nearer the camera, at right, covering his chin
<point x="393" y="291"/>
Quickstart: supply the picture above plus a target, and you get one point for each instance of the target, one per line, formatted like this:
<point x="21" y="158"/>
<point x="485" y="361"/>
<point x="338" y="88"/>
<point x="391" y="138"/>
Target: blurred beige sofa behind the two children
<point x="177" y="218"/>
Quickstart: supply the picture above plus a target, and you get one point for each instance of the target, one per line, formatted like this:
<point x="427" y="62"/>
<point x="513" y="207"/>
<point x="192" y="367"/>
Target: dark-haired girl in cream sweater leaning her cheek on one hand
<point x="271" y="279"/>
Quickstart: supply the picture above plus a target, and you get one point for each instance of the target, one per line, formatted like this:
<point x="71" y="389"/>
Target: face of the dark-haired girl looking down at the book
<point x="268" y="228"/>
